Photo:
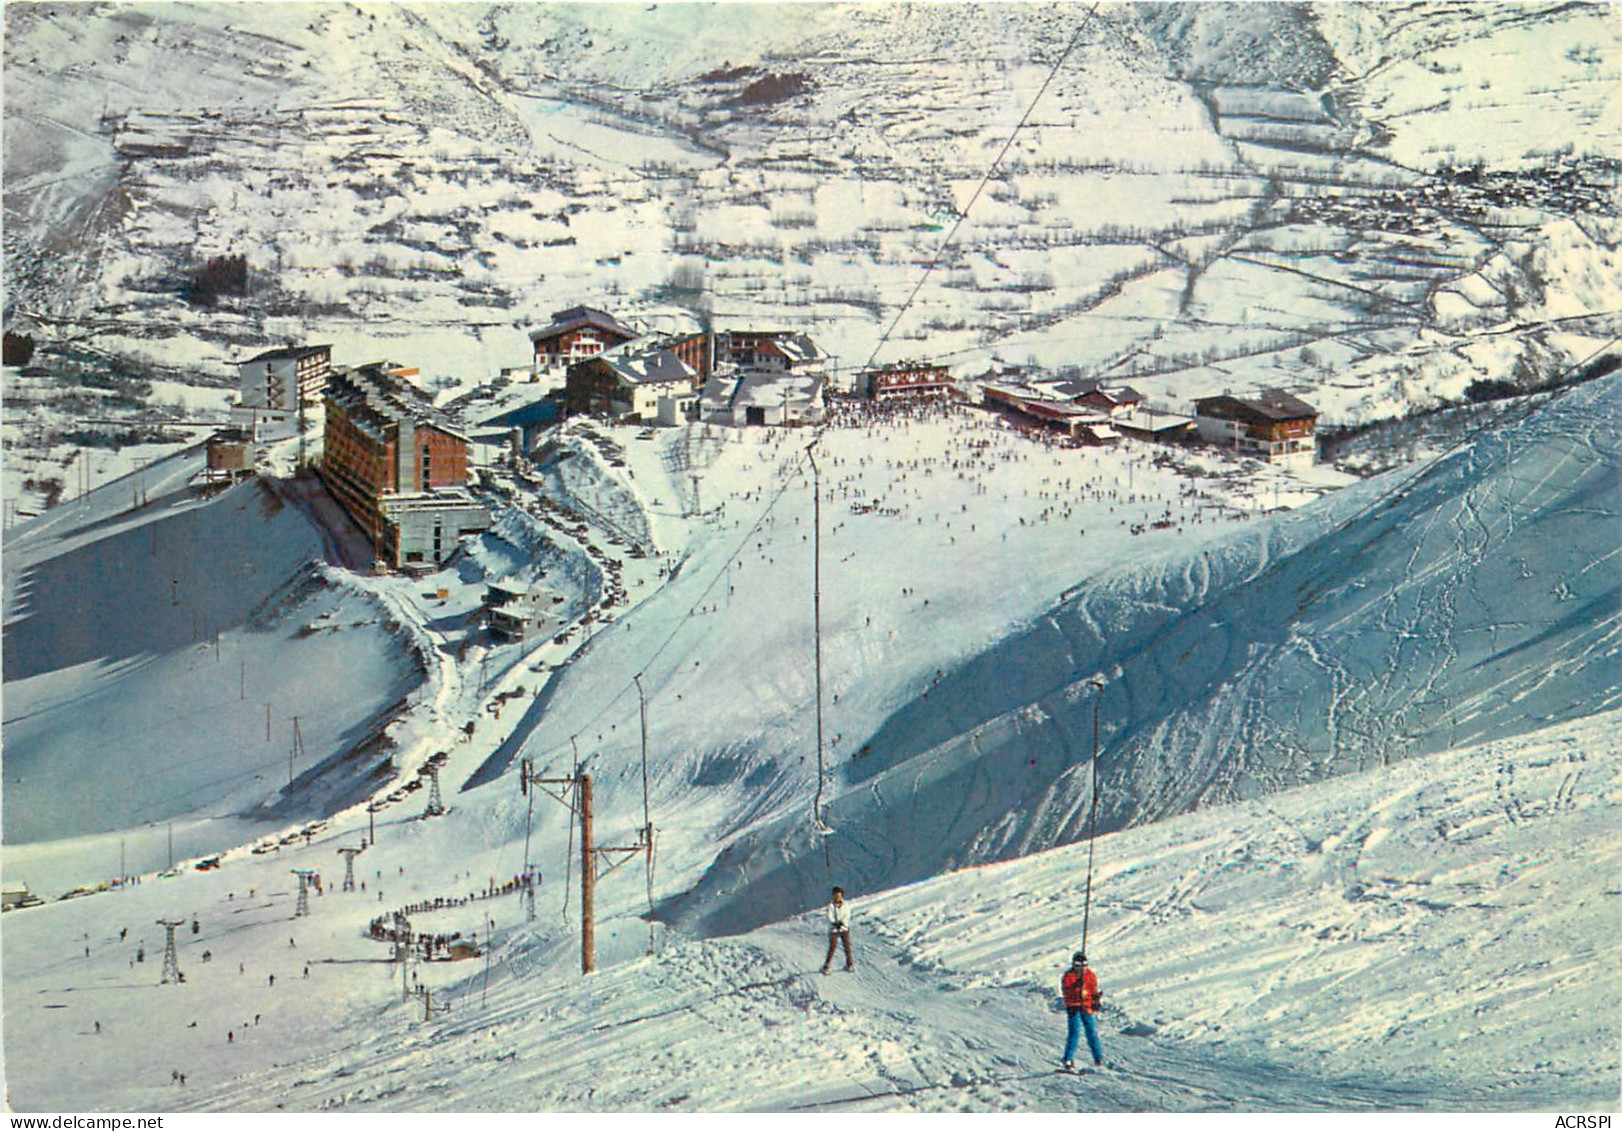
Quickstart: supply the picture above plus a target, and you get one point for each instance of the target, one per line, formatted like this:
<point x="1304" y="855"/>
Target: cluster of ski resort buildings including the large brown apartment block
<point x="400" y="465"/>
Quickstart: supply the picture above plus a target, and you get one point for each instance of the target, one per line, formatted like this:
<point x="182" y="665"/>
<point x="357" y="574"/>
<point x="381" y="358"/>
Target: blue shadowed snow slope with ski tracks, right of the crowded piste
<point x="1474" y="601"/>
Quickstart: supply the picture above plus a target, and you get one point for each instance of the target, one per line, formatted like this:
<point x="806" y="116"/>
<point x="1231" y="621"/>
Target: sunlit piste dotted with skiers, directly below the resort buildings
<point x="911" y="541"/>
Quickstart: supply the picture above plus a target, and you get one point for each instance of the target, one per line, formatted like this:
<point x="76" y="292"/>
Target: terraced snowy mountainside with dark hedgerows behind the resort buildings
<point x="1368" y="205"/>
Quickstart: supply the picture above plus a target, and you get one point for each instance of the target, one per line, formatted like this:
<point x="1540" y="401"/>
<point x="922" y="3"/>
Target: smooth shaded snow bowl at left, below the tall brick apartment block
<point x="157" y="658"/>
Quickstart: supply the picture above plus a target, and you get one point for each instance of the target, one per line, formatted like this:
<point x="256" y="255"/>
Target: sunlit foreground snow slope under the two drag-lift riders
<point x="1368" y="944"/>
